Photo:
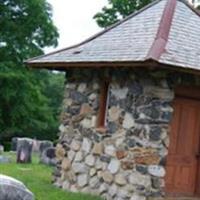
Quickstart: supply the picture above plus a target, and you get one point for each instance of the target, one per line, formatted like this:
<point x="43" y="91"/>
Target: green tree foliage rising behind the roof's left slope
<point x="117" y="10"/>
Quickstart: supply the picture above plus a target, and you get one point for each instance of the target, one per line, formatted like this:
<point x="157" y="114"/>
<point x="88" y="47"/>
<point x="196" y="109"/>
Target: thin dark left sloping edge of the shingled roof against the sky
<point x="99" y="33"/>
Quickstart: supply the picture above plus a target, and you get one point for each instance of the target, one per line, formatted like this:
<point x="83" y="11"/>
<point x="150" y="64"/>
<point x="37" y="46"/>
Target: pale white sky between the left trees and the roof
<point x="74" y="20"/>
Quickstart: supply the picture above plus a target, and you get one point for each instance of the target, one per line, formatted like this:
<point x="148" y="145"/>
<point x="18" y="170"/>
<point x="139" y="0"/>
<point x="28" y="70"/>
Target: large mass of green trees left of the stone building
<point x="26" y="105"/>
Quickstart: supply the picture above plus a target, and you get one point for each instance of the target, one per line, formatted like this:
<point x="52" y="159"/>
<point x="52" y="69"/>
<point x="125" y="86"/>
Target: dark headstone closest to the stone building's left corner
<point x="48" y="156"/>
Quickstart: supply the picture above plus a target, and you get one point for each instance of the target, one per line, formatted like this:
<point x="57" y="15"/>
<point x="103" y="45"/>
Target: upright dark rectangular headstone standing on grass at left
<point x="24" y="150"/>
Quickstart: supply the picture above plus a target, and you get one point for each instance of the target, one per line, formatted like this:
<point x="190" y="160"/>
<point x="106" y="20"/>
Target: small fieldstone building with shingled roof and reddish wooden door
<point x="130" y="125"/>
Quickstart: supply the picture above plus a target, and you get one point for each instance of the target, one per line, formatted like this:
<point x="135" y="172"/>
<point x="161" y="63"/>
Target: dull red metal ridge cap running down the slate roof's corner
<point x="159" y="44"/>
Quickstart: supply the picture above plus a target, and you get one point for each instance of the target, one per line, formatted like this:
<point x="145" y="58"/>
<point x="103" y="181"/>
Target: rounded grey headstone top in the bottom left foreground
<point x="12" y="189"/>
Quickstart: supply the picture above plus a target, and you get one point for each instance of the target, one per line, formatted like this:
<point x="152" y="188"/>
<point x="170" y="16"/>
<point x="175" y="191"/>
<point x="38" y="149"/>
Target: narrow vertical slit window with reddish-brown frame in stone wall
<point x="103" y="107"/>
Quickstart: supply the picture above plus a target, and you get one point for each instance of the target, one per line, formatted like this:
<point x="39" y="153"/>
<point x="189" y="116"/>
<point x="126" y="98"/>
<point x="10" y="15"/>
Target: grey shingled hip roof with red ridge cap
<point x="165" y="32"/>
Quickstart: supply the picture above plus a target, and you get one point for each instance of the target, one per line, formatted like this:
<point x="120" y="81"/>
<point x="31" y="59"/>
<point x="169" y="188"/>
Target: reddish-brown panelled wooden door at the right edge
<point x="182" y="162"/>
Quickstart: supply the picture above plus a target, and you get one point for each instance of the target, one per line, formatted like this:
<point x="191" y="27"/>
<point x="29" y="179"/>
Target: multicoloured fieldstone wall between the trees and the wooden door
<point x="127" y="160"/>
